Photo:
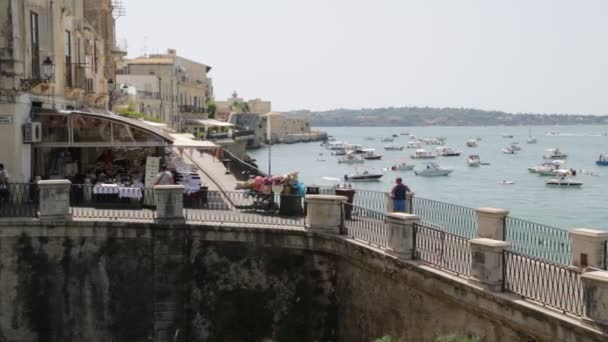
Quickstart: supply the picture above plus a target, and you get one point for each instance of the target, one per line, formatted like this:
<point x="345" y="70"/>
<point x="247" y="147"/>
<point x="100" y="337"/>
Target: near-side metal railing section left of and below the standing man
<point x="366" y="225"/>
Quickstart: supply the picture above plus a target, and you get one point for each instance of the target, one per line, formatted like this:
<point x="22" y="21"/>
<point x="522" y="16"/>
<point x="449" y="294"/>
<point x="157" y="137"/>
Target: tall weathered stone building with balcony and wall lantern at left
<point x="53" y="55"/>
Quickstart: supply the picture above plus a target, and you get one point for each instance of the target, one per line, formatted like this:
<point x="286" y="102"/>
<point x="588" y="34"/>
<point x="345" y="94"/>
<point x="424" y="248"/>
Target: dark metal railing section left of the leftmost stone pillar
<point x="19" y="200"/>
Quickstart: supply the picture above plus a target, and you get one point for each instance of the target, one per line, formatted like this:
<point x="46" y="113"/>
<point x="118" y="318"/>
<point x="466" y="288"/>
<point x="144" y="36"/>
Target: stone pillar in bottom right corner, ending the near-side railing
<point x="595" y="296"/>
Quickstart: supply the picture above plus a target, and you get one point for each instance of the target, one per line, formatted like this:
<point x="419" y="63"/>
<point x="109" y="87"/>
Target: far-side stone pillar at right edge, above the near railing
<point x="588" y="248"/>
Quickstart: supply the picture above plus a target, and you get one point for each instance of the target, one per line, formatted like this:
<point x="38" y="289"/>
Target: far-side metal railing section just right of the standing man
<point x="454" y="219"/>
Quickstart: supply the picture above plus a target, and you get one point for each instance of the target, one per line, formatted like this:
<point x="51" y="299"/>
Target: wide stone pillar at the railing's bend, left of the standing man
<point x="324" y="213"/>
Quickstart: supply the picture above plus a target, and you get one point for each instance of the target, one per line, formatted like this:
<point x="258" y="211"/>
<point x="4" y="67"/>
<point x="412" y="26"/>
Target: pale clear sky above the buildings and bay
<point x="530" y="56"/>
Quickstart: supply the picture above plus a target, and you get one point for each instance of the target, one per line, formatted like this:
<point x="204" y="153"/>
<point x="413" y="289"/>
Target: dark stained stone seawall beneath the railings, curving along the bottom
<point x="94" y="281"/>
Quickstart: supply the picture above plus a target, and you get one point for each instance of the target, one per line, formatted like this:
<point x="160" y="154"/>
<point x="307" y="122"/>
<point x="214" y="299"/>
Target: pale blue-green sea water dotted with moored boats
<point x="528" y="197"/>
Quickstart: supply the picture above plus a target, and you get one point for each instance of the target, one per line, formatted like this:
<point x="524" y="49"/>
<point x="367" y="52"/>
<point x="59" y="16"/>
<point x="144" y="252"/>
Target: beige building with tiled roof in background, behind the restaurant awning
<point x="183" y="86"/>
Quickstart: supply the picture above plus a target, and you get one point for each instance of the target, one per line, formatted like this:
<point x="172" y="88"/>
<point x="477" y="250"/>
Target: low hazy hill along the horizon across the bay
<point x="426" y="116"/>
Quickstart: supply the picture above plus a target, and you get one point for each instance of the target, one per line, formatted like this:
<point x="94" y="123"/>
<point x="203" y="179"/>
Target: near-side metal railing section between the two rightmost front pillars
<point x="545" y="282"/>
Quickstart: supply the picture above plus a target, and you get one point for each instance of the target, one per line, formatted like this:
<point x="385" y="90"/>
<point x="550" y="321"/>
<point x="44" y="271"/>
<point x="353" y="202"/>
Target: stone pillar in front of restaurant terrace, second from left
<point x="169" y="204"/>
